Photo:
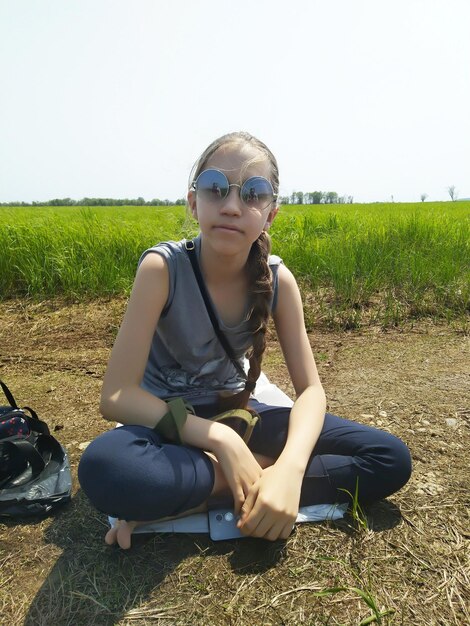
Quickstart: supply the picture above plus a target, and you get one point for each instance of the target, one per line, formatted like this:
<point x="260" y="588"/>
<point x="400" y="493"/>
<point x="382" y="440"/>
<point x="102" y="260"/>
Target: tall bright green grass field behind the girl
<point x="386" y="262"/>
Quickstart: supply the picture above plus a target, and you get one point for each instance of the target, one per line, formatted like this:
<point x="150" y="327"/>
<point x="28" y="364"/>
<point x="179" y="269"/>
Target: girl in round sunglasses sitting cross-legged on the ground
<point x="166" y="461"/>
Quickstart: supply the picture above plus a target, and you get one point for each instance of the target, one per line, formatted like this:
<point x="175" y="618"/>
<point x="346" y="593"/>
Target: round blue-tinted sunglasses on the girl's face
<point x="213" y="186"/>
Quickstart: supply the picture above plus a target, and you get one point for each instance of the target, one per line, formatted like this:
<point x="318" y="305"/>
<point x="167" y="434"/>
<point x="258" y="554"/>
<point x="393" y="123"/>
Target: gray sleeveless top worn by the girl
<point x="186" y="358"/>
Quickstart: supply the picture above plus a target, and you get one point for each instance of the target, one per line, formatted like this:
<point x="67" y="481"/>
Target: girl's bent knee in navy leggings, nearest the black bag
<point x="129" y="473"/>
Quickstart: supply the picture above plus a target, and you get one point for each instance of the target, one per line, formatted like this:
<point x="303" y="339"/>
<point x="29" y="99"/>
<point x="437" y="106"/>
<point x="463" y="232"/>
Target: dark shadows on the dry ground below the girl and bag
<point x="92" y="582"/>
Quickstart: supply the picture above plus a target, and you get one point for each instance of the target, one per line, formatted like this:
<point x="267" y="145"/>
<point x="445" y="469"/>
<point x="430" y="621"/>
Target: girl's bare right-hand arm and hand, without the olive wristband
<point x="272" y="504"/>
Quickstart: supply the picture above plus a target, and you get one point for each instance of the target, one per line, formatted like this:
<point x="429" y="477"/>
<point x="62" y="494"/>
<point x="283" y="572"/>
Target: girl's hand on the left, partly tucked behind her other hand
<point x="239" y="466"/>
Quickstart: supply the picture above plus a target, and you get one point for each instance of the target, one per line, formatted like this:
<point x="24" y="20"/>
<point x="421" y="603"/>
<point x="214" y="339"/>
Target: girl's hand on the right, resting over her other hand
<point x="272" y="504"/>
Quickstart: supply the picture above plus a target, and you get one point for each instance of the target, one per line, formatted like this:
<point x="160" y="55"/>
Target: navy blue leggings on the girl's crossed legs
<point x="130" y="473"/>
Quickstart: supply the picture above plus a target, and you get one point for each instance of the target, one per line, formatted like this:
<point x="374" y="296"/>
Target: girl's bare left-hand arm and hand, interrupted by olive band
<point x="124" y="400"/>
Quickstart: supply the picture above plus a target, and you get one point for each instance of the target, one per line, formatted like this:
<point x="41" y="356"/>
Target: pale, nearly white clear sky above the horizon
<point x="117" y="98"/>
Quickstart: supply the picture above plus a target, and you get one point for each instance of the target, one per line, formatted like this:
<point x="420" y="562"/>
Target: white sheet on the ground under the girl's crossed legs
<point x="199" y="523"/>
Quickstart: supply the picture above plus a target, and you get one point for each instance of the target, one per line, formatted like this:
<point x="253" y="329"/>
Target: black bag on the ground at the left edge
<point x="34" y="468"/>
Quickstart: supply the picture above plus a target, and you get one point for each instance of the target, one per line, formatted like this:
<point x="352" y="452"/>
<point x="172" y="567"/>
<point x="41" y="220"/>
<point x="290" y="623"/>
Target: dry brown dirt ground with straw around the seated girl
<point x="411" y="566"/>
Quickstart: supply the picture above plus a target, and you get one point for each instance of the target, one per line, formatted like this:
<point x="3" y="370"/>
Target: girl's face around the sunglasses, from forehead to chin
<point x="228" y="223"/>
